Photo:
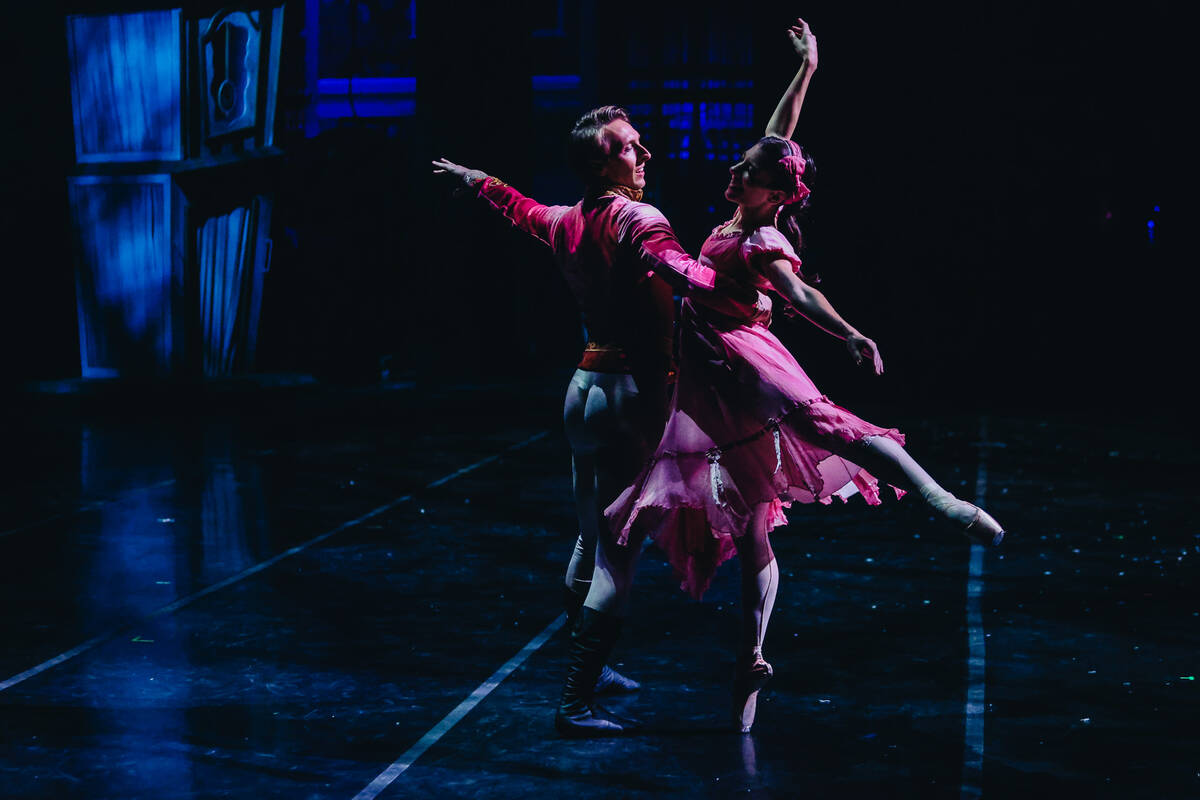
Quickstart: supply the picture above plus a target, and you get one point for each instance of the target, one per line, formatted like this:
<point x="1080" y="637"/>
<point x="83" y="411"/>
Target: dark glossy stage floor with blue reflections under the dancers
<point x="343" y="594"/>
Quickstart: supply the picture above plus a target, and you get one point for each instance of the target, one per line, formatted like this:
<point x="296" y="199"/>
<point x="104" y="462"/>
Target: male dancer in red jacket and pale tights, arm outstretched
<point x="621" y="261"/>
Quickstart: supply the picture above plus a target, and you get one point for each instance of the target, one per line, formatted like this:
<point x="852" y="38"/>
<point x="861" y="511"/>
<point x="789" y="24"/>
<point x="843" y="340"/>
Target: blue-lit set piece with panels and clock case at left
<point x="171" y="215"/>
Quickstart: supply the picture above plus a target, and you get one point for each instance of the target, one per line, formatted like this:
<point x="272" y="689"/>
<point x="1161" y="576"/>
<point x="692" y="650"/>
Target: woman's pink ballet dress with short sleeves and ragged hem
<point x="747" y="425"/>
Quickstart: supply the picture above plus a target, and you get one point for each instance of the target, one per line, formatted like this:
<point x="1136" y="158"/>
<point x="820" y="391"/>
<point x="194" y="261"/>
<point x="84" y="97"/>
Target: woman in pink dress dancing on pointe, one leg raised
<point x="749" y="432"/>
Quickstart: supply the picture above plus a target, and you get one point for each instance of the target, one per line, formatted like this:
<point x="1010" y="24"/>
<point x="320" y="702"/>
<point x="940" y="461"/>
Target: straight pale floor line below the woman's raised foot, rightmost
<point x="977" y="661"/>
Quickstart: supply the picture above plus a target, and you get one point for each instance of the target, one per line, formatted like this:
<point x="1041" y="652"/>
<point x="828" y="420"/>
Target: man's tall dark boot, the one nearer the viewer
<point x="579" y="717"/>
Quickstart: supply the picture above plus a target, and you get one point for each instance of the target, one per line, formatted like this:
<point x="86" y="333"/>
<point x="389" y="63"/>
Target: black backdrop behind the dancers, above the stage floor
<point x="986" y="177"/>
